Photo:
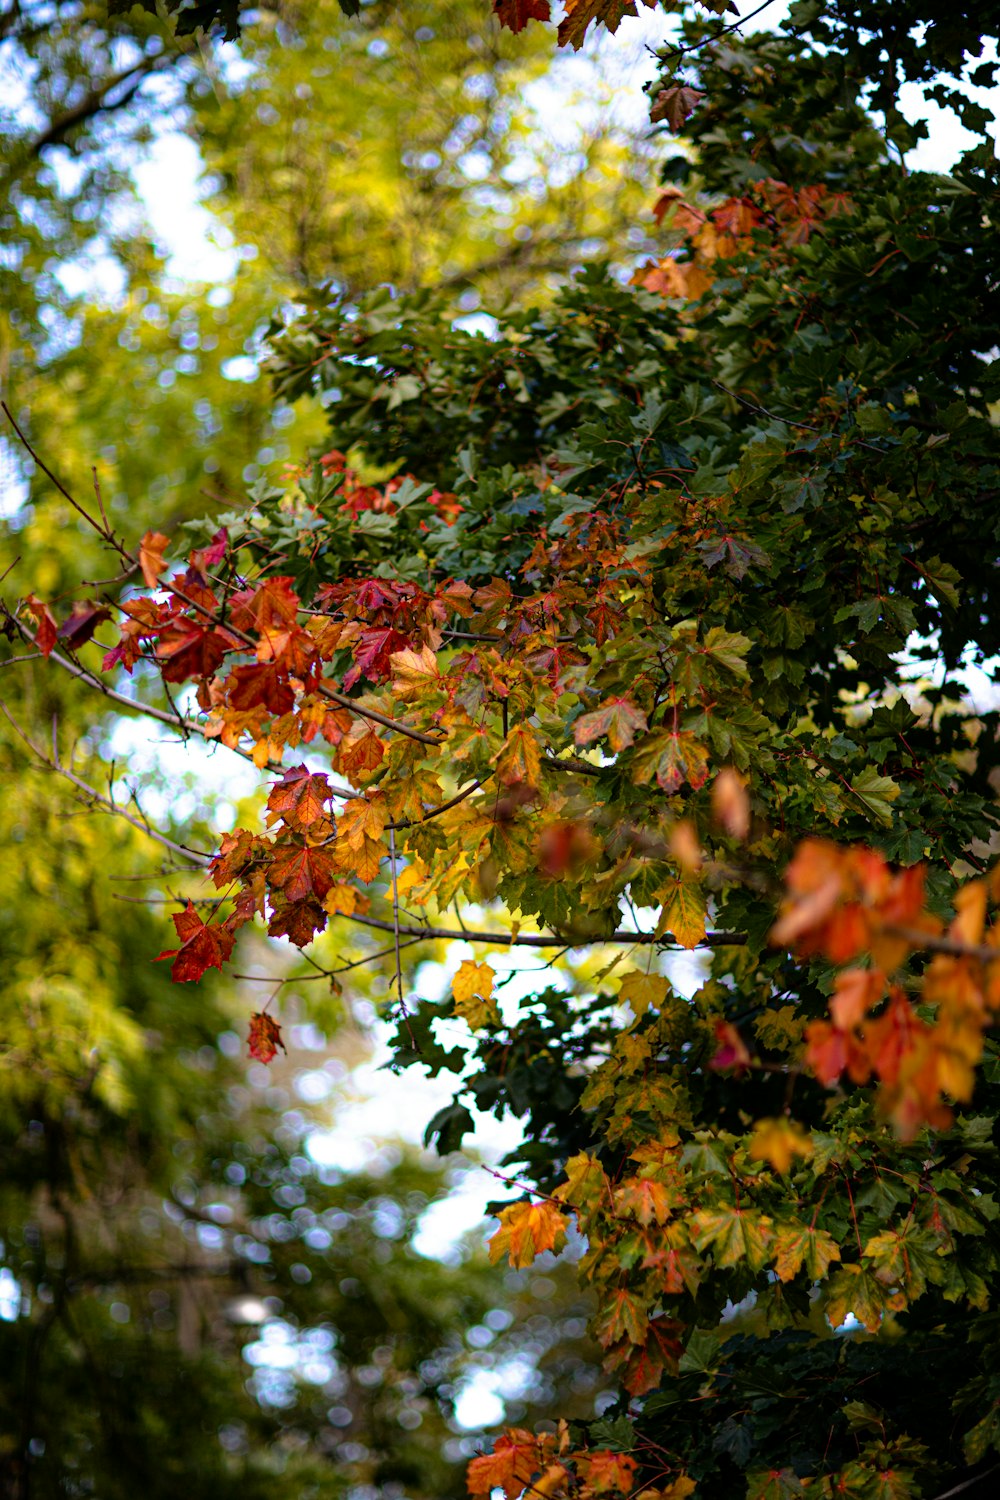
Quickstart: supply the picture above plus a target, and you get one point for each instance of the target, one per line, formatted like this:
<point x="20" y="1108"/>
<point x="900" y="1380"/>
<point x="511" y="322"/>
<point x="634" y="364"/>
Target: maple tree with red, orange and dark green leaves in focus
<point x="624" y="635"/>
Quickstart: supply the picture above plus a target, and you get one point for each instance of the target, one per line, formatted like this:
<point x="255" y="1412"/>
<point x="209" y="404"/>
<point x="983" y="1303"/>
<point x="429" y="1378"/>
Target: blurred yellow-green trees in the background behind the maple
<point x="190" y="1297"/>
